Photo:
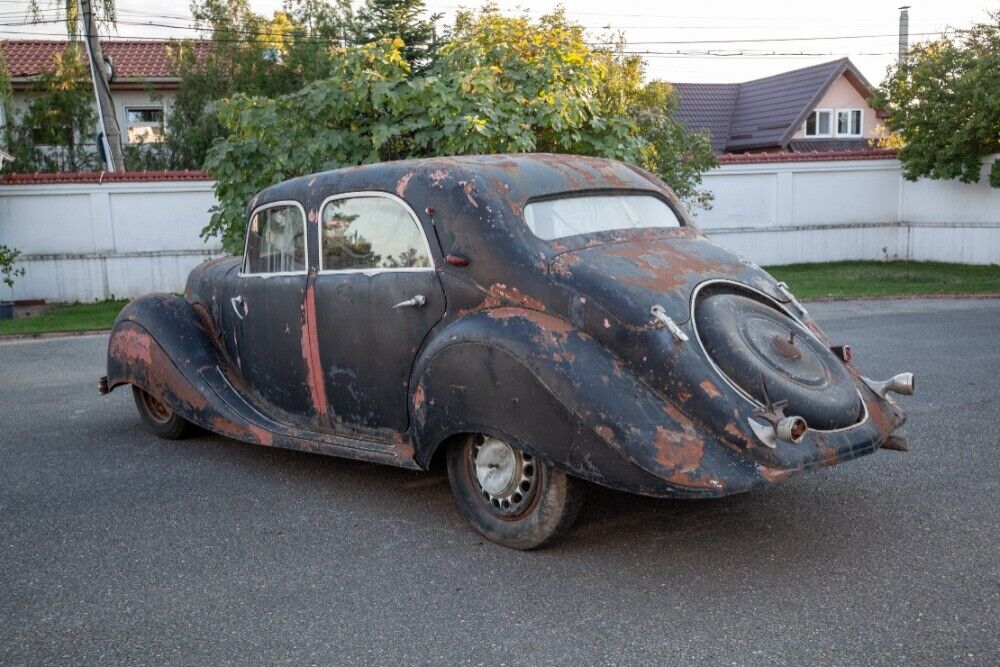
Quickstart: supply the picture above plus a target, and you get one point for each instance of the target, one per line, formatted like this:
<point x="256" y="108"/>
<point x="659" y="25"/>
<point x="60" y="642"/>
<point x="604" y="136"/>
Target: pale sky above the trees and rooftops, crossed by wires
<point x="704" y="41"/>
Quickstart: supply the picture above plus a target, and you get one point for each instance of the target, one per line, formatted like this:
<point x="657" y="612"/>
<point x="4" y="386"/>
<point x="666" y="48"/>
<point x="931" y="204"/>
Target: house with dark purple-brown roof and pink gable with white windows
<point x="819" y="108"/>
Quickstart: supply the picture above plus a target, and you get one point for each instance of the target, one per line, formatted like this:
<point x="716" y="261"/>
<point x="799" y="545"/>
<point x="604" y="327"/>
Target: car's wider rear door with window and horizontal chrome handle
<point x="377" y="296"/>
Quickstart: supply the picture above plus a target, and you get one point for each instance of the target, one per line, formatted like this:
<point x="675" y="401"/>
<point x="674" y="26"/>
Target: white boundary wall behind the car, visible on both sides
<point x="86" y="241"/>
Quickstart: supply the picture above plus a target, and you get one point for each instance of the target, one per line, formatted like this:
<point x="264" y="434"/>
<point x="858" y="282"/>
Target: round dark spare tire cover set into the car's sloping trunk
<point x="749" y="340"/>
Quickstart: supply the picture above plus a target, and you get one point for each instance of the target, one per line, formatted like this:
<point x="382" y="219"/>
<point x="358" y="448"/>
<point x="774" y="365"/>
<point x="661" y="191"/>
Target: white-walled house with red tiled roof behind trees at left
<point x="142" y="84"/>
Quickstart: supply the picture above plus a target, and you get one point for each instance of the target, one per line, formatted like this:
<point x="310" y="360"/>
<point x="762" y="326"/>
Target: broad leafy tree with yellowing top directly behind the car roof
<point x="500" y="84"/>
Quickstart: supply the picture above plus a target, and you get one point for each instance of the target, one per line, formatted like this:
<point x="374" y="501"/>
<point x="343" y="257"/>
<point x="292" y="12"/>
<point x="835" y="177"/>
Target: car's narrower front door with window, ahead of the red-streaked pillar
<point x="268" y="306"/>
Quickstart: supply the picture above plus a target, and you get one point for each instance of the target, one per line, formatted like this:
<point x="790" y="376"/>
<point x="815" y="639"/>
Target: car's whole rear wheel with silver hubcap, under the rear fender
<point x="510" y="496"/>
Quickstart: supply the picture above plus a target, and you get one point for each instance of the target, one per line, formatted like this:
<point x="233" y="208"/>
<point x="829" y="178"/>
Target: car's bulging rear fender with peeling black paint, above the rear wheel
<point x="554" y="391"/>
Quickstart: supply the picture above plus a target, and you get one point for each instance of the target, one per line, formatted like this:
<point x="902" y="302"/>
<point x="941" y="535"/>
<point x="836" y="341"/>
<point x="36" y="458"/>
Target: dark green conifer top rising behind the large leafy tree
<point x="402" y="19"/>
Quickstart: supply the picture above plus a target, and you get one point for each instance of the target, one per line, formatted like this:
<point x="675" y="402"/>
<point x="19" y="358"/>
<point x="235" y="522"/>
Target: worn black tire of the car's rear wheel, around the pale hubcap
<point x="533" y="520"/>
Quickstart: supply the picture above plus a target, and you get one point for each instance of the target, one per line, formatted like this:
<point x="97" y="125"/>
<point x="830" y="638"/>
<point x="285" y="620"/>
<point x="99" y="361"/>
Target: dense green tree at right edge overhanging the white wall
<point x="944" y="101"/>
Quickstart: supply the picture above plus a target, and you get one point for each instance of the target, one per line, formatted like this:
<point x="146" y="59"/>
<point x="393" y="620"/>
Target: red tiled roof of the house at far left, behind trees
<point x="134" y="59"/>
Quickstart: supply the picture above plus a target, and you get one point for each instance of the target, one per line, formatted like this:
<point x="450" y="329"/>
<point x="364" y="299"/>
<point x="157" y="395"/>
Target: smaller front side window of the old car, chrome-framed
<point x="276" y="241"/>
